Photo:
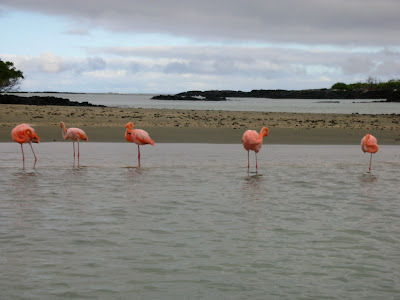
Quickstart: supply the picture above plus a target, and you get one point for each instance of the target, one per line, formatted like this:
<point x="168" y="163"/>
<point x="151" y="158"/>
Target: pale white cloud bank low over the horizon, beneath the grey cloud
<point x="171" y="69"/>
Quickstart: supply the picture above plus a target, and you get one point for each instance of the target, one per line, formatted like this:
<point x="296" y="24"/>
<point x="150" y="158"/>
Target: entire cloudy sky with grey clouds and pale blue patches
<point x="168" y="46"/>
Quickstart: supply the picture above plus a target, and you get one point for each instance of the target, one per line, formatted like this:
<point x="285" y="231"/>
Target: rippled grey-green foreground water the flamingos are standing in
<point x="192" y="223"/>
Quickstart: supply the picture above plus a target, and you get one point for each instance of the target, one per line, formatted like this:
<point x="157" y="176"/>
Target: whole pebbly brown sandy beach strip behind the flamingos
<point x="106" y="124"/>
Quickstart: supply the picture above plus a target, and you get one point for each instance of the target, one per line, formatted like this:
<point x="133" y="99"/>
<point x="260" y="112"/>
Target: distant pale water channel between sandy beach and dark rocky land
<point x="361" y="106"/>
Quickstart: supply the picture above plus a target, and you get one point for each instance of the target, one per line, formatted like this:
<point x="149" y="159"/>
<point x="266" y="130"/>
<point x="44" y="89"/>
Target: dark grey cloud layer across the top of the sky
<point x="334" y="22"/>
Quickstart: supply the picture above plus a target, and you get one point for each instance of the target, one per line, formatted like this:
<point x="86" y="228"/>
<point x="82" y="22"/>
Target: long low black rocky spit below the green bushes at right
<point x="390" y="95"/>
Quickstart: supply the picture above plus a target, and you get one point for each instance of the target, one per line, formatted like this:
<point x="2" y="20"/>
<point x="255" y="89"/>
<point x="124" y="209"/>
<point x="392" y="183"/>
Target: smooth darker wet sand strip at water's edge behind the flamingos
<point x="285" y="136"/>
